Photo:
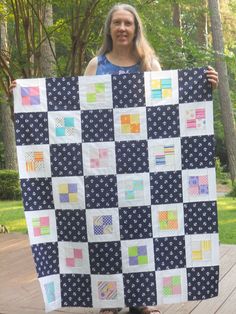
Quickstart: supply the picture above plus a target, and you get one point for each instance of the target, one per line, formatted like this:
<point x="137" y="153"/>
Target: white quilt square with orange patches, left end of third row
<point x="34" y="161"/>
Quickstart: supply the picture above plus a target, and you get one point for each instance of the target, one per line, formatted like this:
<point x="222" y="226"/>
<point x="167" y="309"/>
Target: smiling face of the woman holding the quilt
<point x="122" y="28"/>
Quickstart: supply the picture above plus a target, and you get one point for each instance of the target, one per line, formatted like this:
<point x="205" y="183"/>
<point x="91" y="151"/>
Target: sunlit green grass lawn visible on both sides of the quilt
<point x="12" y="215"/>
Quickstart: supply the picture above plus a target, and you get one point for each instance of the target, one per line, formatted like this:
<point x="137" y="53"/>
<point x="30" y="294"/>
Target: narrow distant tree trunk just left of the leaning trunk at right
<point x="202" y="29"/>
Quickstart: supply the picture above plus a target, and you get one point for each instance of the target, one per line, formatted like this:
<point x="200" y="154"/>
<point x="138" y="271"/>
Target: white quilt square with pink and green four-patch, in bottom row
<point x="172" y="286"/>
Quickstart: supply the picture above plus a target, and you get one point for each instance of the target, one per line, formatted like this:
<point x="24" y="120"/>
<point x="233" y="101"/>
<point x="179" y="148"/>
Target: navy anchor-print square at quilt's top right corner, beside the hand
<point x="194" y="86"/>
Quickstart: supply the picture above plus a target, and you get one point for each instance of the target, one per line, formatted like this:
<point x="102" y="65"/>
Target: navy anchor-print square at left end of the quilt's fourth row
<point x="37" y="193"/>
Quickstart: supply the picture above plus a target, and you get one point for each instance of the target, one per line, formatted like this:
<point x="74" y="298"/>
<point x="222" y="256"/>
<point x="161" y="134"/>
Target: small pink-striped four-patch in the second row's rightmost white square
<point x="196" y="118"/>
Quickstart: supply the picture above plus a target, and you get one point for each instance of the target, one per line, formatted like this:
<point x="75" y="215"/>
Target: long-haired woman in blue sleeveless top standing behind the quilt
<point x="126" y="50"/>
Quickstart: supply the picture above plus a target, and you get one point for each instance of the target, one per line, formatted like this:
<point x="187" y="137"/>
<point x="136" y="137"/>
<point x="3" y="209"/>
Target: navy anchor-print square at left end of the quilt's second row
<point x="31" y="128"/>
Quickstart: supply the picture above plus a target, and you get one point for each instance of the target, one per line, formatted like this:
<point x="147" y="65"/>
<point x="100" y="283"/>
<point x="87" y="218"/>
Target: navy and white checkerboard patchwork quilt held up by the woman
<point x="118" y="184"/>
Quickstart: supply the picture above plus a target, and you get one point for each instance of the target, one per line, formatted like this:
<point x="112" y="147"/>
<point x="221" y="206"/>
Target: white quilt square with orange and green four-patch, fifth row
<point x="167" y="220"/>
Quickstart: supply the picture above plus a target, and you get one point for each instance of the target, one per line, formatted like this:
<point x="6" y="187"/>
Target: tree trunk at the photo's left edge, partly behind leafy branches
<point x="8" y="133"/>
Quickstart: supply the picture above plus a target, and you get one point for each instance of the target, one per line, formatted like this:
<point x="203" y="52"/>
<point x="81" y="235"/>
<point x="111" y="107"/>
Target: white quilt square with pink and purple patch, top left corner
<point x="30" y="95"/>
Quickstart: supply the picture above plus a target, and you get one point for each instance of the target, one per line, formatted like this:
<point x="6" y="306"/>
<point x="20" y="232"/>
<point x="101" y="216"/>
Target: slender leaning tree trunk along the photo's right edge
<point x="225" y="101"/>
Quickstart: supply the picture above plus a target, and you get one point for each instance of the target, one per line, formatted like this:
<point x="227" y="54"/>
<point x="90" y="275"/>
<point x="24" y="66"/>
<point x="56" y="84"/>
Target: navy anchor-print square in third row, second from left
<point x="66" y="160"/>
